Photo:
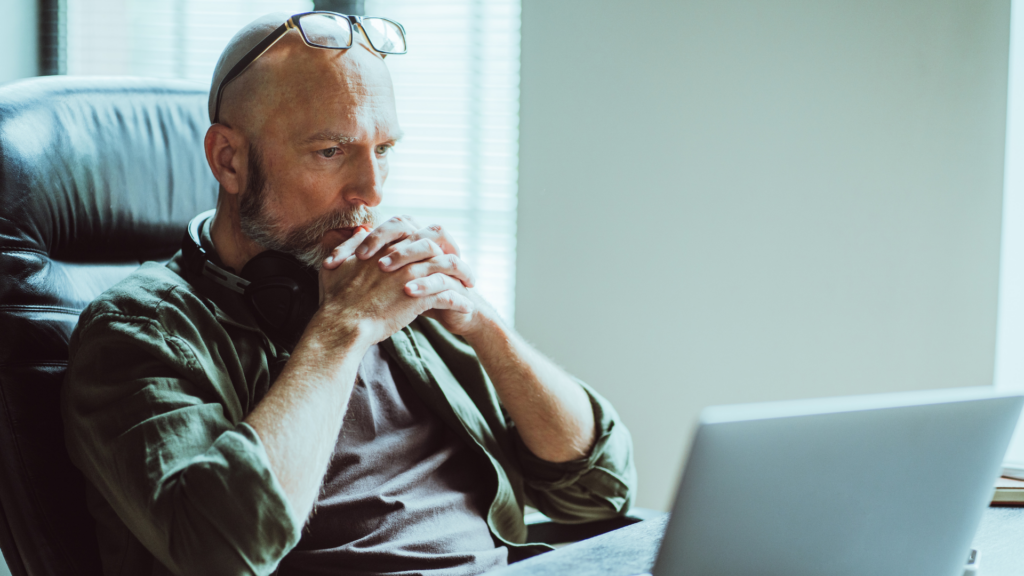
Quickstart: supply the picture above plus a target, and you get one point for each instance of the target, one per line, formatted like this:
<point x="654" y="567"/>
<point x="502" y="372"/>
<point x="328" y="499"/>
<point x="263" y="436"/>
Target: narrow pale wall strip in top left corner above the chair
<point x="19" y="40"/>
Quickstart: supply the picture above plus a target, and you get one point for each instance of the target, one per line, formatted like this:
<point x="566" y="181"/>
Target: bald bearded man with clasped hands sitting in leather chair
<point x="406" y="429"/>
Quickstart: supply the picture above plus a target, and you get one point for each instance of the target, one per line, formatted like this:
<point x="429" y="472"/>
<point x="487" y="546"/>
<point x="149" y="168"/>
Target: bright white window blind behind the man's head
<point x="457" y="91"/>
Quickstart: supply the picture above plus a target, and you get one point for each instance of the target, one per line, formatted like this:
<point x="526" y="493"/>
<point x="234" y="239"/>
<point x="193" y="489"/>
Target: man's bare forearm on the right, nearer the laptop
<point x="552" y="414"/>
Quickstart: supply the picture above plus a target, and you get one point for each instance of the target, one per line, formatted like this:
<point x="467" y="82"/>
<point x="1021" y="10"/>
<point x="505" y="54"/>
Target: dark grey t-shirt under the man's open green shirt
<point x="404" y="495"/>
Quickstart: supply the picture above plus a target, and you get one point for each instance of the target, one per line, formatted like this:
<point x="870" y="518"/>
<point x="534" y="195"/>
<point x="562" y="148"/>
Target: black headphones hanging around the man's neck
<point x="282" y="293"/>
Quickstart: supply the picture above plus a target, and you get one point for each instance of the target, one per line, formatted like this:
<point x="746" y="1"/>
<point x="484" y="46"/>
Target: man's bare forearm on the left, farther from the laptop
<point x="301" y="418"/>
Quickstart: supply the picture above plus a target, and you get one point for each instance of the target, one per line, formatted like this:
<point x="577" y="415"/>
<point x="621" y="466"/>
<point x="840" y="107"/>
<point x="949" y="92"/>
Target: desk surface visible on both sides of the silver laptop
<point x="632" y="550"/>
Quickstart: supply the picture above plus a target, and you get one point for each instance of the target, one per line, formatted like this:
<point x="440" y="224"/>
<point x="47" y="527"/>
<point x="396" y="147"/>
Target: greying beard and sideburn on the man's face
<point x="303" y="241"/>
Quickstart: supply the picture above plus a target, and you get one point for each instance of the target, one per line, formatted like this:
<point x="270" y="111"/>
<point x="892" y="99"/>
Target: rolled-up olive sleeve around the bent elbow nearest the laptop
<point x="602" y="485"/>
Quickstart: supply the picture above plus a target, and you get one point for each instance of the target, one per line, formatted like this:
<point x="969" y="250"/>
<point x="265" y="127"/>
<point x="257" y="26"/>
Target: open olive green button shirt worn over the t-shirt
<point x="161" y="378"/>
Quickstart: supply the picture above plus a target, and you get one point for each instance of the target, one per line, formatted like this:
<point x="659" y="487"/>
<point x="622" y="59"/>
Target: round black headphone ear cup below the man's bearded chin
<point x="283" y="295"/>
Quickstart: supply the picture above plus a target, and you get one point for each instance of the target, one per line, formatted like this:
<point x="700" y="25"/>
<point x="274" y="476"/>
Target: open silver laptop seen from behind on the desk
<point x="882" y="484"/>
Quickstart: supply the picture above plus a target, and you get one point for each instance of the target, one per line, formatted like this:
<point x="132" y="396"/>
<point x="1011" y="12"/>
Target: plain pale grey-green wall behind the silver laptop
<point x="727" y="201"/>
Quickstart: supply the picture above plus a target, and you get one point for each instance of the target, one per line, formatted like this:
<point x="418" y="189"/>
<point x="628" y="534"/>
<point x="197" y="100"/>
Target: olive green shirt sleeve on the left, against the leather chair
<point x="151" y="431"/>
